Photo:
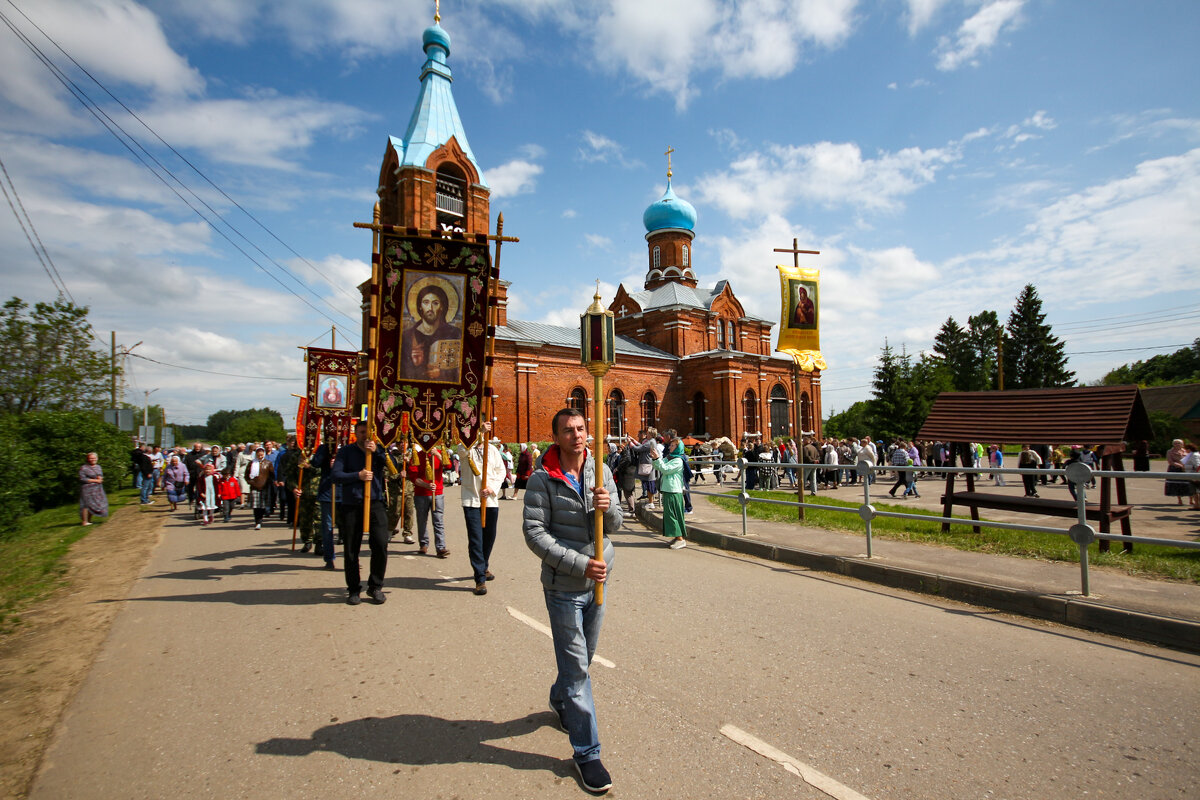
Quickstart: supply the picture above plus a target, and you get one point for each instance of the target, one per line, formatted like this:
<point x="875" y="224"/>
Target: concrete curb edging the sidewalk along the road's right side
<point x="1076" y="612"/>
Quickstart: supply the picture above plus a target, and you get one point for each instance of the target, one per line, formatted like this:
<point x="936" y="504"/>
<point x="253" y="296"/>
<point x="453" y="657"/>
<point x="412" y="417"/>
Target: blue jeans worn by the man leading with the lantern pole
<point x="575" y="623"/>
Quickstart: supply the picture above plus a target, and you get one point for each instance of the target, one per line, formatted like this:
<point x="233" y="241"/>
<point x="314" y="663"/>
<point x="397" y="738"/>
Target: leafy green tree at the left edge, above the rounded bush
<point x="47" y="362"/>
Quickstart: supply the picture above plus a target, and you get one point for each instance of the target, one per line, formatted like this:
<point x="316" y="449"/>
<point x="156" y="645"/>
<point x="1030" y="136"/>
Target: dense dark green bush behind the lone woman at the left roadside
<point x="41" y="454"/>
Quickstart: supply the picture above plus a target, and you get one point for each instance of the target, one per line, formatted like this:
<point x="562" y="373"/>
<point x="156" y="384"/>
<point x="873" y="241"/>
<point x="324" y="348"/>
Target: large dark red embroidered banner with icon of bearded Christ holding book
<point x="433" y="336"/>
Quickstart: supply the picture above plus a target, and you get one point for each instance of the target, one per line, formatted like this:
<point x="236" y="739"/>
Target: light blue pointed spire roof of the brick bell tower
<point x="435" y="119"/>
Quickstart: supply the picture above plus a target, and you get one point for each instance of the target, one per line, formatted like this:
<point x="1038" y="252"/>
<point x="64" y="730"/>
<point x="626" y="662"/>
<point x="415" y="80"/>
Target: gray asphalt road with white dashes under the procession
<point x="237" y="671"/>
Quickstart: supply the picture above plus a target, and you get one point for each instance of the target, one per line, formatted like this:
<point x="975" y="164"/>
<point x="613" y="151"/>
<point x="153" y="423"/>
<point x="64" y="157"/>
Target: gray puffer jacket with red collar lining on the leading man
<point x="559" y="522"/>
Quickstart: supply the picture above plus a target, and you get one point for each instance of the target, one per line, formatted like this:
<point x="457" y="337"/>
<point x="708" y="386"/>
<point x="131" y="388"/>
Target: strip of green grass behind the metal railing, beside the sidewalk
<point x="1155" y="561"/>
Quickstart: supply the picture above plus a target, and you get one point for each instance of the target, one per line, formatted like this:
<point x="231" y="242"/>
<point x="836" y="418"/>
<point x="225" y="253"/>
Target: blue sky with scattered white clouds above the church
<point x="940" y="154"/>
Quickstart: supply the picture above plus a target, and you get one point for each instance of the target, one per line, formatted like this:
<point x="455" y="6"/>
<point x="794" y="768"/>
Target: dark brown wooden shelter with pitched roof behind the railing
<point x="1103" y="417"/>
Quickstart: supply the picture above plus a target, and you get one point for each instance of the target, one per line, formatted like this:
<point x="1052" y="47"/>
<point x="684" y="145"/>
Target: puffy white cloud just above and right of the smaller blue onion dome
<point x="826" y="173"/>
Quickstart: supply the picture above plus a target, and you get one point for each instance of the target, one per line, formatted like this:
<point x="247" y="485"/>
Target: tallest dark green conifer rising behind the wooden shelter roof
<point x="1034" y="357"/>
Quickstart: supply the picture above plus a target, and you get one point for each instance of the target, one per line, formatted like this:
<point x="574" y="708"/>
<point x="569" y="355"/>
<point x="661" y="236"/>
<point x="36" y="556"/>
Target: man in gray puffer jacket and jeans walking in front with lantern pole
<point x="560" y="506"/>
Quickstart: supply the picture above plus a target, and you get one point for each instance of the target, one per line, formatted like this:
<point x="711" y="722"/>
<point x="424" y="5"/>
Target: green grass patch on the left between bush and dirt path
<point x="32" y="556"/>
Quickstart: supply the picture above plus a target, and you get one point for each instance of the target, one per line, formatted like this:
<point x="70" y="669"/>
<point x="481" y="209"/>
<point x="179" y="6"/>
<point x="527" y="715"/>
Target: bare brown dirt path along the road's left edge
<point x="46" y="659"/>
